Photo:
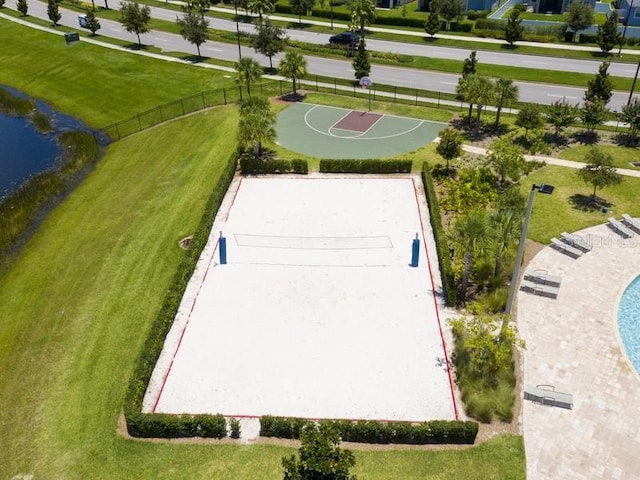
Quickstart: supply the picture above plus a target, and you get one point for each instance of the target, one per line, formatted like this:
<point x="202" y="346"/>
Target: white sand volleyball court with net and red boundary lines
<point x="317" y="313"/>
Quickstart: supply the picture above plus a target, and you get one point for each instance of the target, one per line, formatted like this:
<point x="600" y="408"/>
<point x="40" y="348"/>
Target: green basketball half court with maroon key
<point x="332" y="132"/>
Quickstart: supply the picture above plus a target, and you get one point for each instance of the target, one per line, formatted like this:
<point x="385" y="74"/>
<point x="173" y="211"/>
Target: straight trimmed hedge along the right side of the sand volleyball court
<point x="444" y="259"/>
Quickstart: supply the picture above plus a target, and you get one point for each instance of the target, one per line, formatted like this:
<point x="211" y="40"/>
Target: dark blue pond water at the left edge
<point x="24" y="151"/>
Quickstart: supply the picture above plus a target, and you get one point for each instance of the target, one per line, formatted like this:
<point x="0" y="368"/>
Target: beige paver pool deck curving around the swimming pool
<point x="573" y="344"/>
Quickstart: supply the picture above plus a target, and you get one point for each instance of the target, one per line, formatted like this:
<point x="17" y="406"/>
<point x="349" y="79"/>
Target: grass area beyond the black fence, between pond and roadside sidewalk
<point x="96" y="84"/>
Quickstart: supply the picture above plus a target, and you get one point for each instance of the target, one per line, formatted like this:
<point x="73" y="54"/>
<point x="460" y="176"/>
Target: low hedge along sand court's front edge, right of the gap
<point x="372" y="431"/>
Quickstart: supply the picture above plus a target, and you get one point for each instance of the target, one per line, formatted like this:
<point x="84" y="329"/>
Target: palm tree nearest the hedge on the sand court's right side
<point x="471" y="234"/>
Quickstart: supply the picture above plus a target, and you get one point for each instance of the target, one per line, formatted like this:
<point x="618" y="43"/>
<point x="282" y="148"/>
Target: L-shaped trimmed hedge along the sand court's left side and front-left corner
<point x="159" y="425"/>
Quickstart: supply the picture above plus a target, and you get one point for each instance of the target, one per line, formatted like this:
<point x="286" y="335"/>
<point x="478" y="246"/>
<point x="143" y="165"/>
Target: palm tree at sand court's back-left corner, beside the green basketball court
<point x="256" y="124"/>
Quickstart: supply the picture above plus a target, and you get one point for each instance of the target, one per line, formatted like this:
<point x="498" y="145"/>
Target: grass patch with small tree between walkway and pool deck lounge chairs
<point x="562" y="211"/>
